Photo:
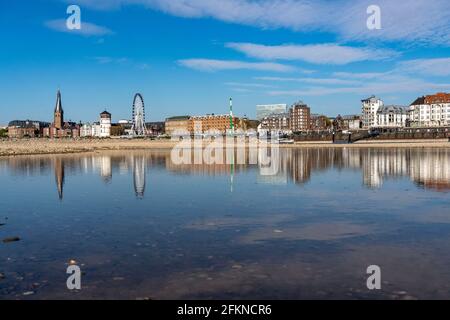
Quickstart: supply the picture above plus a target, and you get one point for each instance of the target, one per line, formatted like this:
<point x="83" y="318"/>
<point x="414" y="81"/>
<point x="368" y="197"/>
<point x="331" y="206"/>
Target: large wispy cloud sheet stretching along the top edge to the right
<point x="413" y="21"/>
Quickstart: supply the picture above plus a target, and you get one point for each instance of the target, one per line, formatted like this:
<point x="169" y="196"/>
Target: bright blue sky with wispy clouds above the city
<point x="190" y="56"/>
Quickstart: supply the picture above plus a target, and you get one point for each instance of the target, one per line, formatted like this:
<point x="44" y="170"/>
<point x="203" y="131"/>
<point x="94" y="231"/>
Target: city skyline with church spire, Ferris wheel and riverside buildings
<point x="426" y="111"/>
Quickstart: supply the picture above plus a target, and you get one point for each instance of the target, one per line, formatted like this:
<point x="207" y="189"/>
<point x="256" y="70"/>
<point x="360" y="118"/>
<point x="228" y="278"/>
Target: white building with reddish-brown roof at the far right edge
<point x="431" y="111"/>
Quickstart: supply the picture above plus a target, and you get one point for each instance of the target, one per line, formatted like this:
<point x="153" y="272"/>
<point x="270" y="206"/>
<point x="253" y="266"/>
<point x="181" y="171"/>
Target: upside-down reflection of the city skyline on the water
<point x="427" y="168"/>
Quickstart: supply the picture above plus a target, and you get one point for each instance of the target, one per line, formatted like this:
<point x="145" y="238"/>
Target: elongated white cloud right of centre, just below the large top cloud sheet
<point x="318" y="53"/>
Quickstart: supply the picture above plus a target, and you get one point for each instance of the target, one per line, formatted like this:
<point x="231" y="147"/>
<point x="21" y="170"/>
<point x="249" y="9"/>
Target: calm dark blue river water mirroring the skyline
<point x="141" y="227"/>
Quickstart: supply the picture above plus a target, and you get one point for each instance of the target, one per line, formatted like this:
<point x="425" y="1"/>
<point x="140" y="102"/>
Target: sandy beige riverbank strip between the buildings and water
<point x="44" y="146"/>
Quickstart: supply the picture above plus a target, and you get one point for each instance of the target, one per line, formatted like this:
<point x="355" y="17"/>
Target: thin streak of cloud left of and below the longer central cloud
<point x="211" y="65"/>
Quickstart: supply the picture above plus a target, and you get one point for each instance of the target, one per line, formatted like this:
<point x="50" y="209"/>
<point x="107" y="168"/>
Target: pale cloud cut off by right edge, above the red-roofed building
<point x="432" y="67"/>
